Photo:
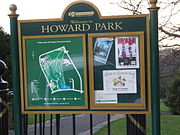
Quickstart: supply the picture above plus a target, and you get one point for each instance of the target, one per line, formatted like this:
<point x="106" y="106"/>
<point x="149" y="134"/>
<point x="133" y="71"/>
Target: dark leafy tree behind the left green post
<point x="5" y="54"/>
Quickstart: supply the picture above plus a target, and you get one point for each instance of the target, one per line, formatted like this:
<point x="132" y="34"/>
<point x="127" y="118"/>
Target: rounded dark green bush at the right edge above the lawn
<point x="172" y="95"/>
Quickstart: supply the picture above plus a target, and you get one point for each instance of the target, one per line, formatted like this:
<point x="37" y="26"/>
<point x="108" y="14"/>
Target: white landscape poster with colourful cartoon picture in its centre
<point x="119" y="81"/>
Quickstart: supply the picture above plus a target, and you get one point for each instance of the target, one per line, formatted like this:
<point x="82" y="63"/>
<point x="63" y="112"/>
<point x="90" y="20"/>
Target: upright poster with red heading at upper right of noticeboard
<point x="127" y="52"/>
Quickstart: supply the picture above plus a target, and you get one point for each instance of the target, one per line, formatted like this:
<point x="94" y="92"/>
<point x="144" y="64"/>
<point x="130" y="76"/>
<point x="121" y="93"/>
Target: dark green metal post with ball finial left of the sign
<point x="15" y="69"/>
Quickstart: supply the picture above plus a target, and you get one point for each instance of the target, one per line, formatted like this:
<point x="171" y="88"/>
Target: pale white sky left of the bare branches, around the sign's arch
<point x="46" y="9"/>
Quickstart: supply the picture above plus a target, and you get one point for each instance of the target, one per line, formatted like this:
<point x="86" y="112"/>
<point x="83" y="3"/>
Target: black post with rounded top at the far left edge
<point x="3" y="101"/>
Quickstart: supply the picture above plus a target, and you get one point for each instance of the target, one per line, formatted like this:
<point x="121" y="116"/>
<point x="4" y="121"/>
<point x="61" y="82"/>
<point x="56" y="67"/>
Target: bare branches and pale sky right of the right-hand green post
<point x="169" y="27"/>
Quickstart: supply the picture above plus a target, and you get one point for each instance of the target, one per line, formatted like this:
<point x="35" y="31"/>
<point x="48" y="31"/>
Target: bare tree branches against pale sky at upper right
<point x="168" y="26"/>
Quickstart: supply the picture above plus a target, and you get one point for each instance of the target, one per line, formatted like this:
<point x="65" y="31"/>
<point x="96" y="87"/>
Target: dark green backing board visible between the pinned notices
<point x="111" y="65"/>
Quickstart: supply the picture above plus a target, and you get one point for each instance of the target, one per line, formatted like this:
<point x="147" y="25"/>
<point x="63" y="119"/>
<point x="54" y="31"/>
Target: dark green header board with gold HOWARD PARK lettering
<point x="88" y="25"/>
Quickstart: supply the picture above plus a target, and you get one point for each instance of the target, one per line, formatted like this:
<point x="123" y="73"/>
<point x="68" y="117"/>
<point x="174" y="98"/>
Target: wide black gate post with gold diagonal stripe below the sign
<point x="136" y="124"/>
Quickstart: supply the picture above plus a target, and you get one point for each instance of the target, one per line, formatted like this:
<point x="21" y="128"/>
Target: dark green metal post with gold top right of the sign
<point x="155" y="68"/>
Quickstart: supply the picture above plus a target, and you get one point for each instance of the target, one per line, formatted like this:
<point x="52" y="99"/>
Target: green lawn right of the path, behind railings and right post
<point x="170" y="124"/>
